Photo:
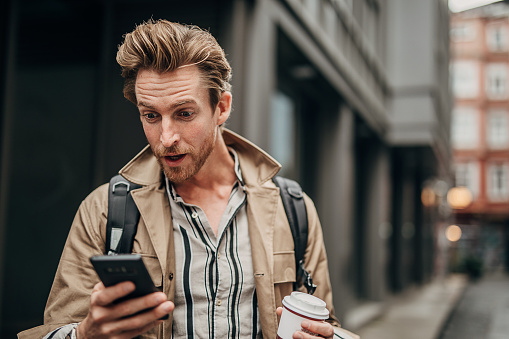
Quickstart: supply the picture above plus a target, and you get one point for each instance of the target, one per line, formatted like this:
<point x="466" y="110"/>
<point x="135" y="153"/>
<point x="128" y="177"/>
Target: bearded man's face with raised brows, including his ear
<point x="178" y="121"/>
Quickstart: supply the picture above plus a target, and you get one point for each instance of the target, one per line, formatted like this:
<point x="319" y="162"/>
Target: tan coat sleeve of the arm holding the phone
<point x="69" y="298"/>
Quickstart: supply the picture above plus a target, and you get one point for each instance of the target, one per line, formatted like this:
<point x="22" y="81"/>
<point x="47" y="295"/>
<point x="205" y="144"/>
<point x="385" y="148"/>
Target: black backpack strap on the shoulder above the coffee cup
<point x="295" y="209"/>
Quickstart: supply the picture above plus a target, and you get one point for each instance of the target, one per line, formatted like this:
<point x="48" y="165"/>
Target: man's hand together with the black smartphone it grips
<point x="123" y="310"/>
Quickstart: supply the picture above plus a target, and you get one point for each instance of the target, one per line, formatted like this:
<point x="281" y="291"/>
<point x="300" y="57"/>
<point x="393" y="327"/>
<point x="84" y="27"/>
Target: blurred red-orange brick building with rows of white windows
<point x="480" y="132"/>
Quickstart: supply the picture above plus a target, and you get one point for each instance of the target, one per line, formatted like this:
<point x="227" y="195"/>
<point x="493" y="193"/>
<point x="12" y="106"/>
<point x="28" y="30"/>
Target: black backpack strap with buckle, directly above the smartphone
<point x="123" y="216"/>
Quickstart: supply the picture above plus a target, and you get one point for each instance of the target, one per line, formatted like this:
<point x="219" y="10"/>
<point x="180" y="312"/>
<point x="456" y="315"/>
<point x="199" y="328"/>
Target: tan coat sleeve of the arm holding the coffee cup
<point x="316" y="264"/>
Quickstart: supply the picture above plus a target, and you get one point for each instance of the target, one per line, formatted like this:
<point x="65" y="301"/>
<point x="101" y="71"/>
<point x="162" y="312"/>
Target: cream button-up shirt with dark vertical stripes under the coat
<point x="215" y="293"/>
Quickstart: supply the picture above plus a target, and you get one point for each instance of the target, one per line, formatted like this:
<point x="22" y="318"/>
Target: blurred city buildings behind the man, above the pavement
<point x="392" y="114"/>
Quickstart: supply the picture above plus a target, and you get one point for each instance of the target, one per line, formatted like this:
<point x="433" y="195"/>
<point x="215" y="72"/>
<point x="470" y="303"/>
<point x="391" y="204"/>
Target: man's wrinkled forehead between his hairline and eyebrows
<point x="185" y="81"/>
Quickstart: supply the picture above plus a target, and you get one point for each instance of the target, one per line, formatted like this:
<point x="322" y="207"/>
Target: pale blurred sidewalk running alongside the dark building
<point x="419" y="314"/>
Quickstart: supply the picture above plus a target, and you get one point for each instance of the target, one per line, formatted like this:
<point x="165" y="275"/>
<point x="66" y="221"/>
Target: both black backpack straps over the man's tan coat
<point x="123" y="217"/>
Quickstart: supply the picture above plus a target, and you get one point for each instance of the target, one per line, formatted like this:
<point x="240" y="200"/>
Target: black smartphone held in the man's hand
<point x="113" y="269"/>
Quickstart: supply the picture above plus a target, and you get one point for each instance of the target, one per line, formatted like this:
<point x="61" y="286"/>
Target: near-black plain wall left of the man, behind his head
<point x="69" y="128"/>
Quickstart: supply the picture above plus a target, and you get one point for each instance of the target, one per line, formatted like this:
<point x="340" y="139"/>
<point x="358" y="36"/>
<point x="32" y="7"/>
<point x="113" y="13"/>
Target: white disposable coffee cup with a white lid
<point x="298" y="307"/>
